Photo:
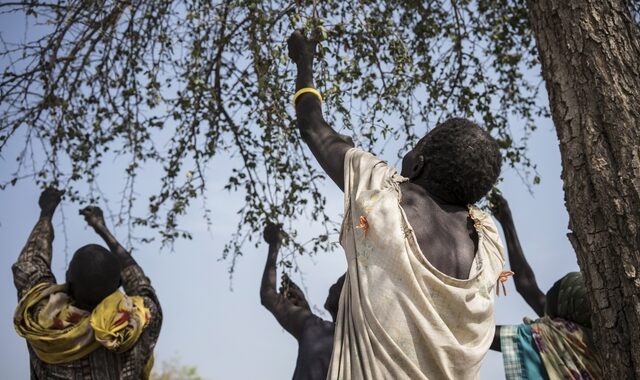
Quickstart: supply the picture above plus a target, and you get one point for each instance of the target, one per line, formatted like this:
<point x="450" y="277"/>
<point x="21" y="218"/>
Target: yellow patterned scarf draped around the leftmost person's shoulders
<point x="59" y="332"/>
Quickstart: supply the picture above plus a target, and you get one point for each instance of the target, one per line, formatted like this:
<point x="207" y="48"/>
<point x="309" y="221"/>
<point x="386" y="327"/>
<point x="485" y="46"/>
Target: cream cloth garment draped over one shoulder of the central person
<point x="399" y="317"/>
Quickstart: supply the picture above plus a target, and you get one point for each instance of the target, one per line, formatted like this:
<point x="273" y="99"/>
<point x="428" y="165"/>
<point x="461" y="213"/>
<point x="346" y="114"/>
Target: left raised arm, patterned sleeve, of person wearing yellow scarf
<point x="34" y="262"/>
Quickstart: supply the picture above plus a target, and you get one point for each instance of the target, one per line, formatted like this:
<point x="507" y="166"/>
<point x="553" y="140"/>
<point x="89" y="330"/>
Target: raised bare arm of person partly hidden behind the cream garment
<point x="291" y="315"/>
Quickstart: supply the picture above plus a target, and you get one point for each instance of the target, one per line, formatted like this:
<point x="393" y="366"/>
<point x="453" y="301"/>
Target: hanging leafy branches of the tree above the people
<point x="177" y="83"/>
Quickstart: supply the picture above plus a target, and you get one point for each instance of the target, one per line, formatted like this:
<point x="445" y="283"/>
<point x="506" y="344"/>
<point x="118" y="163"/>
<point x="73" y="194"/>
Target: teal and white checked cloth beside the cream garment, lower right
<point x="520" y="354"/>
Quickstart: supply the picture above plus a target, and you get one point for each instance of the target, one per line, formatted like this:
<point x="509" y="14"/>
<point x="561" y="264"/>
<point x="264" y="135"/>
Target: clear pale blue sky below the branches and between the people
<point x="228" y="334"/>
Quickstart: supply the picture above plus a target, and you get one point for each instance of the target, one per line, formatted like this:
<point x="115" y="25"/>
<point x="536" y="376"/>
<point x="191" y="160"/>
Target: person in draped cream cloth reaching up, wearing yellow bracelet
<point x="417" y="301"/>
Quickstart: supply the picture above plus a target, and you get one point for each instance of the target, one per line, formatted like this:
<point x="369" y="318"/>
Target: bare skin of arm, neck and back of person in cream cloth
<point x="444" y="232"/>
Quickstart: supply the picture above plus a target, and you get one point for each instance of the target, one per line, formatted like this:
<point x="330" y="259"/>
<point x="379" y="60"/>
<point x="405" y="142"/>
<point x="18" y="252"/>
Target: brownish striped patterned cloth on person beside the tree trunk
<point x="564" y="348"/>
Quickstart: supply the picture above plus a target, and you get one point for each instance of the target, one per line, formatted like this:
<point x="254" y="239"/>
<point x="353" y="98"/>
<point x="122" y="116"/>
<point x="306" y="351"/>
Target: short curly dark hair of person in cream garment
<point x="461" y="161"/>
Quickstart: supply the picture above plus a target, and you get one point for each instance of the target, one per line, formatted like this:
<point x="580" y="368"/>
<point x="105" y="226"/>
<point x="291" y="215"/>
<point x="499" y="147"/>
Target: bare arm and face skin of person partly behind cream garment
<point x="289" y="306"/>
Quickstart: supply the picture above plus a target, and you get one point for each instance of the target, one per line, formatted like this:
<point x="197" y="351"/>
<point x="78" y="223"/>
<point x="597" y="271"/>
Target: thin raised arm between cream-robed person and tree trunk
<point x="524" y="278"/>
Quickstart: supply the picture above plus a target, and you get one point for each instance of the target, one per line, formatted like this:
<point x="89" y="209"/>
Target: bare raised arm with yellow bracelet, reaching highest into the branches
<point x="326" y="144"/>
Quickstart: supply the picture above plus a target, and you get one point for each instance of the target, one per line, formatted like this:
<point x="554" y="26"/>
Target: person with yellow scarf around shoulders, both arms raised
<point x="86" y="328"/>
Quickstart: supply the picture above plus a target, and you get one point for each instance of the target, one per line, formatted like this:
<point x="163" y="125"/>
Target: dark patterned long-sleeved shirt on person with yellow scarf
<point x="34" y="267"/>
